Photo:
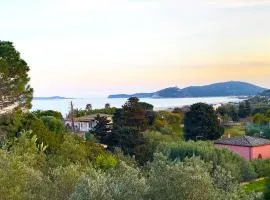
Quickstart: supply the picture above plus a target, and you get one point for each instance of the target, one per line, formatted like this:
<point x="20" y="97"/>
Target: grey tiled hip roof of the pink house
<point x="246" y="141"/>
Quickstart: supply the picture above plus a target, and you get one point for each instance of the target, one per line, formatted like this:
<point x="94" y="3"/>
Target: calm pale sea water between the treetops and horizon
<point x="63" y="105"/>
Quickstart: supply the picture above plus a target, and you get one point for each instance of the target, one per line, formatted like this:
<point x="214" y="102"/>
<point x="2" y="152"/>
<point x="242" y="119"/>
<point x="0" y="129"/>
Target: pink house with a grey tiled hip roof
<point x="248" y="147"/>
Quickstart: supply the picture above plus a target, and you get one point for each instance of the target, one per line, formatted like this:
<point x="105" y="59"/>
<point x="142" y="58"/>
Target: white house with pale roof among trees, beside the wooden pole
<point x="85" y="123"/>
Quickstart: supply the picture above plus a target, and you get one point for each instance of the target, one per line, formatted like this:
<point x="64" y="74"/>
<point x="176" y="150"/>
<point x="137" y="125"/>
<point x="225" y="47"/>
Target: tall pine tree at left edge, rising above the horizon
<point x="14" y="80"/>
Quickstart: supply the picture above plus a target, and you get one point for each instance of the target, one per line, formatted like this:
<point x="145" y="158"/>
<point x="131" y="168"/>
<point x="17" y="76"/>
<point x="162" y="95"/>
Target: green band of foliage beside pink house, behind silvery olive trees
<point x="240" y="169"/>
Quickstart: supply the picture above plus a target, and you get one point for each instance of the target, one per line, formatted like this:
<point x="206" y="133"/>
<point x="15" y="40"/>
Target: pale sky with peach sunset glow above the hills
<point x="86" y="48"/>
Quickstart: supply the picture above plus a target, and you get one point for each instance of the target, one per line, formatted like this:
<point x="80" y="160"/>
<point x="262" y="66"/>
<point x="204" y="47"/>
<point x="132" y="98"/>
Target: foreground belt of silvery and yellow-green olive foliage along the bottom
<point x="81" y="170"/>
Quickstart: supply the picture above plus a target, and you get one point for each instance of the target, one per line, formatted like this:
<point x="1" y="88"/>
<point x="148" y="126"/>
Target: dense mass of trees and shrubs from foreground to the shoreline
<point x="147" y="156"/>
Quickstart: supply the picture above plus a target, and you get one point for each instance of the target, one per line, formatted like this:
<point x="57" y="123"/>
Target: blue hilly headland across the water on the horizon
<point x="231" y="88"/>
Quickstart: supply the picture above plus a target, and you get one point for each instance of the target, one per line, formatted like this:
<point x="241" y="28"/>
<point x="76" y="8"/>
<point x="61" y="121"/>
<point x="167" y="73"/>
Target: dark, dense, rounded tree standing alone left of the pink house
<point x="201" y="122"/>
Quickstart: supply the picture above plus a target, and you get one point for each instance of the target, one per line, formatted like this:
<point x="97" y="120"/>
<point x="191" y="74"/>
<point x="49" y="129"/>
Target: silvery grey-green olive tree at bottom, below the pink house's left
<point x="190" y="179"/>
